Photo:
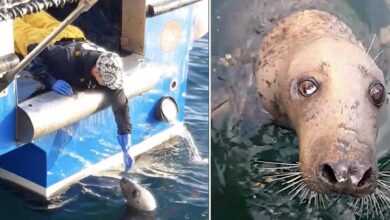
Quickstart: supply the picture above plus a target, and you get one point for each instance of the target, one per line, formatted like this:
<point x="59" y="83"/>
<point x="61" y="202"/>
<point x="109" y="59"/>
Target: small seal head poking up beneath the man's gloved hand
<point x="137" y="196"/>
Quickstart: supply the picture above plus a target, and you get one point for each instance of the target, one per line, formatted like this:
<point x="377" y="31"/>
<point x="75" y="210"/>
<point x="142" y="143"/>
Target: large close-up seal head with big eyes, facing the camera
<point x="314" y="76"/>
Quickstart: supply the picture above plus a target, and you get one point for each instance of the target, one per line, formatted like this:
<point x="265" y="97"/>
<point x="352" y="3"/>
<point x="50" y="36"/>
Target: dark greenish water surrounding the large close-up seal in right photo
<point x="242" y="132"/>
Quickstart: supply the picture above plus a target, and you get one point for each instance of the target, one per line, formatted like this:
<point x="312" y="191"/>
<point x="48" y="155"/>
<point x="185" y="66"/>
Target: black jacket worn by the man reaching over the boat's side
<point x="69" y="61"/>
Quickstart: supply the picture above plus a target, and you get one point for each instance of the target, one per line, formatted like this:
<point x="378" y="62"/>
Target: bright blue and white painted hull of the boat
<point x="50" y="163"/>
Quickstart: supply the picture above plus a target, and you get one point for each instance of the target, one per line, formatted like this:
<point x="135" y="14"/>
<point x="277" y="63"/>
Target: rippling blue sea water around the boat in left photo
<point x="178" y="181"/>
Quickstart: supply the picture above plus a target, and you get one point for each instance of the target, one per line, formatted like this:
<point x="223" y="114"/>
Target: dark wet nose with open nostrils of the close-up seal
<point x="347" y="177"/>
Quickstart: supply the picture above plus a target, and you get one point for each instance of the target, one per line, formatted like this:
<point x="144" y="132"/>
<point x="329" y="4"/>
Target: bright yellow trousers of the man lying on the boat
<point x="32" y="29"/>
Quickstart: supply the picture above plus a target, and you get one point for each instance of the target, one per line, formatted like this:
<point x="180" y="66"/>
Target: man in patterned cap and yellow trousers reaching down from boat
<point x="70" y="60"/>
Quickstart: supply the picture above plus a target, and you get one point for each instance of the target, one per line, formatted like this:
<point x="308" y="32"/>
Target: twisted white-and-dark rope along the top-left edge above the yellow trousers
<point x="23" y="7"/>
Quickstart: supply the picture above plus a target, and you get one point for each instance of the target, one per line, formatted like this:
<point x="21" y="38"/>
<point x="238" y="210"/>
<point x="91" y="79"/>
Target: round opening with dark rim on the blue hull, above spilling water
<point x="167" y="109"/>
